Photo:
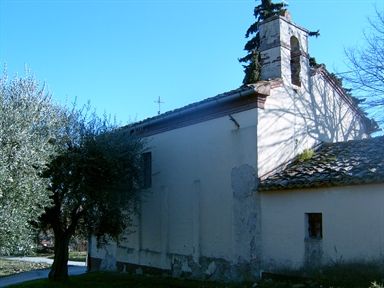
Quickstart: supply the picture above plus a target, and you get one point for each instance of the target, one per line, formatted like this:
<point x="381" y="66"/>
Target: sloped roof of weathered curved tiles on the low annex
<point x="333" y="164"/>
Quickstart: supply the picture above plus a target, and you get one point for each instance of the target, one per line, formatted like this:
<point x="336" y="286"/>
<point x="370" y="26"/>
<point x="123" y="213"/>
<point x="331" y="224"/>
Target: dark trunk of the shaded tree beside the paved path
<point x="59" y="270"/>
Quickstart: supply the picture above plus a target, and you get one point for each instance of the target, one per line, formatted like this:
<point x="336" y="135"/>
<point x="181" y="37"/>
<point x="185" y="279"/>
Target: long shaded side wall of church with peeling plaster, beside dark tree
<point x="201" y="217"/>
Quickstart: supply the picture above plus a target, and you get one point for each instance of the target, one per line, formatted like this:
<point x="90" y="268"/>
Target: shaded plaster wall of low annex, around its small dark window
<point x="353" y="225"/>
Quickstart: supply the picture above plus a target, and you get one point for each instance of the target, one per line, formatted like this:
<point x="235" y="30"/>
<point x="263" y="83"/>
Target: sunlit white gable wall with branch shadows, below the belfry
<point x="295" y="119"/>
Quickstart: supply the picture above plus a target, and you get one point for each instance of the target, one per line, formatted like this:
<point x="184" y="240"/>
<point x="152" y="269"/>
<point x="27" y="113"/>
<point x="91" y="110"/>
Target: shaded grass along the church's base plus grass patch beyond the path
<point x="338" y="275"/>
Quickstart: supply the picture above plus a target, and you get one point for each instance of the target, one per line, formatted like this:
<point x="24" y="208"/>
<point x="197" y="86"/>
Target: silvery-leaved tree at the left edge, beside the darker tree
<point x="29" y="124"/>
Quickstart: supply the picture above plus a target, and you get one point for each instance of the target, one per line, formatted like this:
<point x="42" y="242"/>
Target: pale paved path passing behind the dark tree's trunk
<point x="74" y="268"/>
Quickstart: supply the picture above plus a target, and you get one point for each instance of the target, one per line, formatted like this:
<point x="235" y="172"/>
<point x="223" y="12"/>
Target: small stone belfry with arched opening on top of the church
<point x="284" y="51"/>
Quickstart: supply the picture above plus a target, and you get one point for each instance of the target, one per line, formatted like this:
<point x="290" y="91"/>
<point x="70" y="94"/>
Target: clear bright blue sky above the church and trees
<point x="123" y="55"/>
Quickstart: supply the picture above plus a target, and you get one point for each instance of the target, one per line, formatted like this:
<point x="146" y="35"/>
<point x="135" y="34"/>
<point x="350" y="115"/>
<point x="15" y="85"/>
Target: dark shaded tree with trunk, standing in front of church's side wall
<point x="95" y="183"/>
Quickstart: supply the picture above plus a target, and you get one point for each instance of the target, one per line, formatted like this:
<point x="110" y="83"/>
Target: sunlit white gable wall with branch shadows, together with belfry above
<point x="297" y="117"/>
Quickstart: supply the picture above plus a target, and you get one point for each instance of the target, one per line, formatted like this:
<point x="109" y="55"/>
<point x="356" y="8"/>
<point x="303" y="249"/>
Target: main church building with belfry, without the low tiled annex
<point x="204" y="217"/>
